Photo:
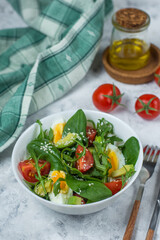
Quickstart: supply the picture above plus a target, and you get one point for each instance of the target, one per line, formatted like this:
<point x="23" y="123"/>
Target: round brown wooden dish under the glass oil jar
<point x="143" y="75"/>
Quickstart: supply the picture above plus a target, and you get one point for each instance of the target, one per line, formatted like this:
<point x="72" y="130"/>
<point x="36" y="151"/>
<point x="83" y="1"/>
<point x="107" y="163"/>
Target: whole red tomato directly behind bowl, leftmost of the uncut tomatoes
<point x="106" y="97"/>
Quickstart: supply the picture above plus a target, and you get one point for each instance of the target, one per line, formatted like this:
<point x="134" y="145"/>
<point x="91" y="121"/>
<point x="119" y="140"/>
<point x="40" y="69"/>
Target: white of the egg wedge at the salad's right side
<point x="118" y="153"/>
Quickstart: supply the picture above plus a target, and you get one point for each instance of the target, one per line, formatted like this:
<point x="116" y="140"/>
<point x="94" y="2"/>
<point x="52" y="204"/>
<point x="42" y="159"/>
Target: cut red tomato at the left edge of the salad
<point x="28" y="170"/>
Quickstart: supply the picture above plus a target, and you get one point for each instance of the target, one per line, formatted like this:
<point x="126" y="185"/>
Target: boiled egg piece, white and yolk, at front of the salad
<point x="65" y="192"/>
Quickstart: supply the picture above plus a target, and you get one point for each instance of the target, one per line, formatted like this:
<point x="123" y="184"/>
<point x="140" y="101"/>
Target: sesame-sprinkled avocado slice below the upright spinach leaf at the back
<point x="67" y="141"/>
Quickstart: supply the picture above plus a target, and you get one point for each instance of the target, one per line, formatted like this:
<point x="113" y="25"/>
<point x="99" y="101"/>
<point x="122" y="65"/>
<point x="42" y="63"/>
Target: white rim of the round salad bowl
<point x="14" y="167"/>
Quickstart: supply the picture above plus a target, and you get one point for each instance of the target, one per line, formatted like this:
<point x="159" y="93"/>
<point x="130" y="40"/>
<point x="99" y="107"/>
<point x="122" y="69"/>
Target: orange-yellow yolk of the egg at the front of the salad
<point x="63" y="185"/>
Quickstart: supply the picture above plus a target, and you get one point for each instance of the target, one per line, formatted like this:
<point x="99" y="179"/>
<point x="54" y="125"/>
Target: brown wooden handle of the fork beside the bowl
<point x="133" y="217"/>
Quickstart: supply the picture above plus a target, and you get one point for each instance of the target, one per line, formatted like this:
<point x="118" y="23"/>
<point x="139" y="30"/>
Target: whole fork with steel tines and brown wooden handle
<point x="150" y="159"/>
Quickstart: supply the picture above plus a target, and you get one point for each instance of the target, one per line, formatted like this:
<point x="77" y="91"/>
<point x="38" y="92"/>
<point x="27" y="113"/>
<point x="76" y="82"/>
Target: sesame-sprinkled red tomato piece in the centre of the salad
<point x="86" y="162"/>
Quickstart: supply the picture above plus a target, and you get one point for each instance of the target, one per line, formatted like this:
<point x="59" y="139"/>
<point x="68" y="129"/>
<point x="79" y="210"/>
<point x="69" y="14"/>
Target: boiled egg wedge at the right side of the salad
<point x="116" y="158"/>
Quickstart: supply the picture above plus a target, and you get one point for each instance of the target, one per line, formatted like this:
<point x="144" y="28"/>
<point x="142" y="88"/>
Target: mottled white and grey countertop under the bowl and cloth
<point x="22" y="218"/>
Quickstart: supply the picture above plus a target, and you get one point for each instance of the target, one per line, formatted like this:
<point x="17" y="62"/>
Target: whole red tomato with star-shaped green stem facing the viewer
<point x="147" y="106"/>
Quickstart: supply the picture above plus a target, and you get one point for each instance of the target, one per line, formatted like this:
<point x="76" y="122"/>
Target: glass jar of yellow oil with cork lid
<point x="130" y="46"/>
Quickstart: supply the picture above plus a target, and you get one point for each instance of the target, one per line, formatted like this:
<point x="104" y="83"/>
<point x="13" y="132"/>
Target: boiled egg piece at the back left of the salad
<point x="58" y="127"/>
